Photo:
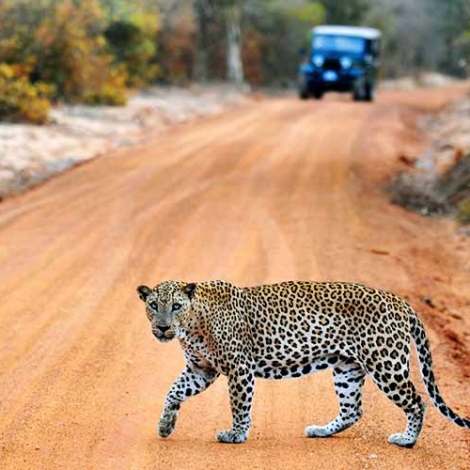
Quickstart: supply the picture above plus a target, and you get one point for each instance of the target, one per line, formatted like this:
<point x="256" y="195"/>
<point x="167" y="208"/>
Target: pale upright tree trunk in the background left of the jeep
<point x="234" y="44"/>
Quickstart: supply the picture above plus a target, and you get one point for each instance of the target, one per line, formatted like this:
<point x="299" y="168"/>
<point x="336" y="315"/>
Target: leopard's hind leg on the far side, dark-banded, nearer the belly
<point x="349" y="379"/>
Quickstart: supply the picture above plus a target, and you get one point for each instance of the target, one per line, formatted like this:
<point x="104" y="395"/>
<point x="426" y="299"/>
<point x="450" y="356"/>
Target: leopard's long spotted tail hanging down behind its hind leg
<point x="425" y="359"/>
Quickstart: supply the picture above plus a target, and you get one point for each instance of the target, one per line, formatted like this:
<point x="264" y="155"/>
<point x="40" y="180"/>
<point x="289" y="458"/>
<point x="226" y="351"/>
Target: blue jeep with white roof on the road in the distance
<point x="342" y="58"/>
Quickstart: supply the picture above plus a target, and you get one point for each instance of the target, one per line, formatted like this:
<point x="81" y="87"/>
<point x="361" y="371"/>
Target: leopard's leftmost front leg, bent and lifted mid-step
<point x="190" y="382"/>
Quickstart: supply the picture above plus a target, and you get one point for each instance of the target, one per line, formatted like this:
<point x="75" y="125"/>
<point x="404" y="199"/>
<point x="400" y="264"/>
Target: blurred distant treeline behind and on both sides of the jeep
<point x="417" y="35"/>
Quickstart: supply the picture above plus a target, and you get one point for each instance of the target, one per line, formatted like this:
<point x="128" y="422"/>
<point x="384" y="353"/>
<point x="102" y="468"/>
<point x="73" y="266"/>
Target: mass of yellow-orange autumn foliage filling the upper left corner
<point x="72" y="47"/>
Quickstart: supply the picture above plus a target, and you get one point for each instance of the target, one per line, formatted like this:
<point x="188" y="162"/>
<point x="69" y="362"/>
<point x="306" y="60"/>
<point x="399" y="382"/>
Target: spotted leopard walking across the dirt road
<point x="290" y="330"/>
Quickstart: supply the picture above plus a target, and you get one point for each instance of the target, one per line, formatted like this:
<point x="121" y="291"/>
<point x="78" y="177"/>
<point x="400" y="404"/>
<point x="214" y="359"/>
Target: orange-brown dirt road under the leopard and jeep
<point x="280" y="189"/>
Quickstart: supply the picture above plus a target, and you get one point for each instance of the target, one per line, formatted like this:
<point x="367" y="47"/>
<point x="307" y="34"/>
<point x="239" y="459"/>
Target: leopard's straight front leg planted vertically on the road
<point x="241" y="383"/>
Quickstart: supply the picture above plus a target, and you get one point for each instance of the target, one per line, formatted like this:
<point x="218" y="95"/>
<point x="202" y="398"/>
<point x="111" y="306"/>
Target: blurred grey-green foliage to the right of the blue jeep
<point x="422" y="35"/>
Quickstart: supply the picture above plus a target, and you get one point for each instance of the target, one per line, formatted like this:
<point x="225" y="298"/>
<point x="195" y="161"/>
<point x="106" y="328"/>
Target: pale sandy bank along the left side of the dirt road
<point x="30" y="154"/>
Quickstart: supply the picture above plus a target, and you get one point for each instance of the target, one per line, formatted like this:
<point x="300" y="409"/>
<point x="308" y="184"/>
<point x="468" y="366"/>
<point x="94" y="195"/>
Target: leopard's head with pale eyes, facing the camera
<point x="166" y="305"/>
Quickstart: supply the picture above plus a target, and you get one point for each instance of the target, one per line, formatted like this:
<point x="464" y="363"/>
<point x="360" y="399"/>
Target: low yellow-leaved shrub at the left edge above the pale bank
<point x="21" y="100"/>
